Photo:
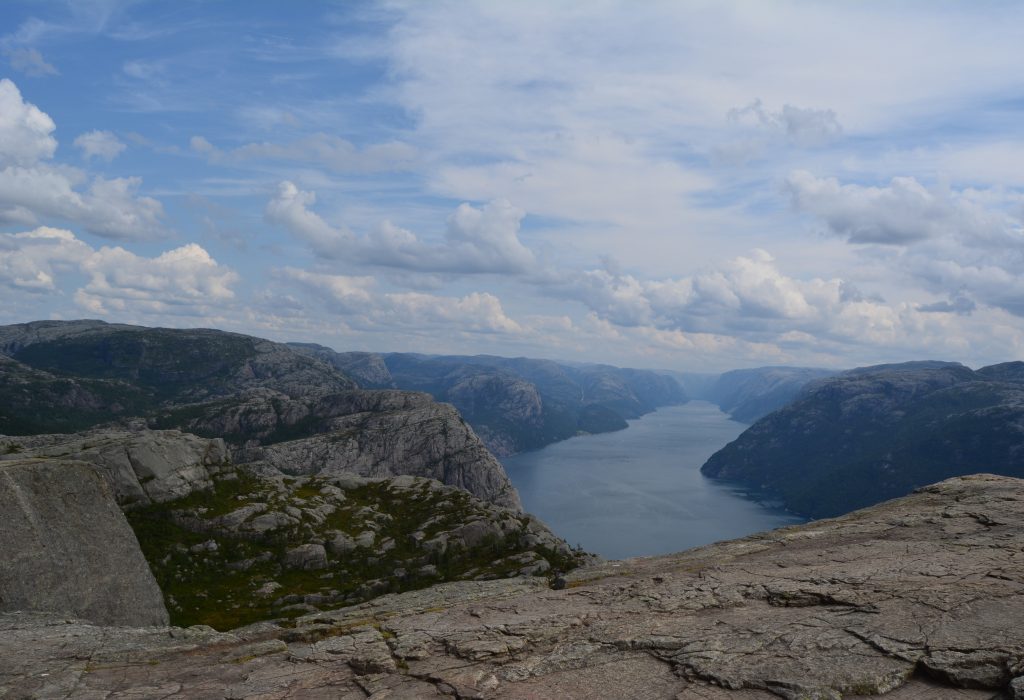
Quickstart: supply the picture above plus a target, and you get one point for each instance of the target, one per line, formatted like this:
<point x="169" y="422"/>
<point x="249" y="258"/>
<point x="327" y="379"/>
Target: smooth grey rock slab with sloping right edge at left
<point x="67" y="548"/>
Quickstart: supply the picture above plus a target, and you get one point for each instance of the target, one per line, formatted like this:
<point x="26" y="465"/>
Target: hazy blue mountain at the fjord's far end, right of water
<point x="750" y="395"/>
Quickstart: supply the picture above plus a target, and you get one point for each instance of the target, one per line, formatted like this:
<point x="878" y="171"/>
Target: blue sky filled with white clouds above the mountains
<point x="688" y="186"/>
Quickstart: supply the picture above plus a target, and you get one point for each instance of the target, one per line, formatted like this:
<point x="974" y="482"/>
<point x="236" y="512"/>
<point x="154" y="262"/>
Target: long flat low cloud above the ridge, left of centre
<point x="358" y="298"/>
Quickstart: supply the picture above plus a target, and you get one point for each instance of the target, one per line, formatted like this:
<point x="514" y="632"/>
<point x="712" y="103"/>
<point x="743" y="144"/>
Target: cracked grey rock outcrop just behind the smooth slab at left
<point x="142" y="467"/>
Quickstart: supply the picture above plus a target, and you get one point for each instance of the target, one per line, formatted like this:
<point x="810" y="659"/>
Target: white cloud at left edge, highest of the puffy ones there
<point x="32" y="188"/>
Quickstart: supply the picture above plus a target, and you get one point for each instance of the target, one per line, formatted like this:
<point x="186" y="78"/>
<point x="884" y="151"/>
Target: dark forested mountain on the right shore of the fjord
<point x="876" y="433"/>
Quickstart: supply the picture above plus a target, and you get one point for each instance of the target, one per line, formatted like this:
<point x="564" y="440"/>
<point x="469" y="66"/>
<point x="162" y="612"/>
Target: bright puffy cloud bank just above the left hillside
<point x="115" y="280"/>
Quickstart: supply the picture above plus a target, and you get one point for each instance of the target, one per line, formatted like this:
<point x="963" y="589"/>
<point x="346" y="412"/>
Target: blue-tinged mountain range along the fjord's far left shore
<point x="517" y="404"/>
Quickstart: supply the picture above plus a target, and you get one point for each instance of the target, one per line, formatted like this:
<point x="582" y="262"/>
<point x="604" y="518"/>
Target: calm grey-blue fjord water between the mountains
<point x="639" y="492"/>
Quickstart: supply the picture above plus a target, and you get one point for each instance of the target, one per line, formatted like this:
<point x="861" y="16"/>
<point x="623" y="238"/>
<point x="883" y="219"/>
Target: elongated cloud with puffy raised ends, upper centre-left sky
<point x="476" y="241"/>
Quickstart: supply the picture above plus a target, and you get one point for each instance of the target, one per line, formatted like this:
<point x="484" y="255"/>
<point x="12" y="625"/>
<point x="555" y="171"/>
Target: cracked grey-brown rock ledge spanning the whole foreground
<point x="917" y="598"/>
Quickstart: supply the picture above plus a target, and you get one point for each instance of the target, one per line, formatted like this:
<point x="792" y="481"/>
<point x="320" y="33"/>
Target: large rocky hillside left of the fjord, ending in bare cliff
<point x="271" y="404"/>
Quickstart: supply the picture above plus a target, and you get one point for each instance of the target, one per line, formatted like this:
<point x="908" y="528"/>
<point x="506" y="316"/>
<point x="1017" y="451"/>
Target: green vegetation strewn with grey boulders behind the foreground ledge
<point x="214" y="574"/>
